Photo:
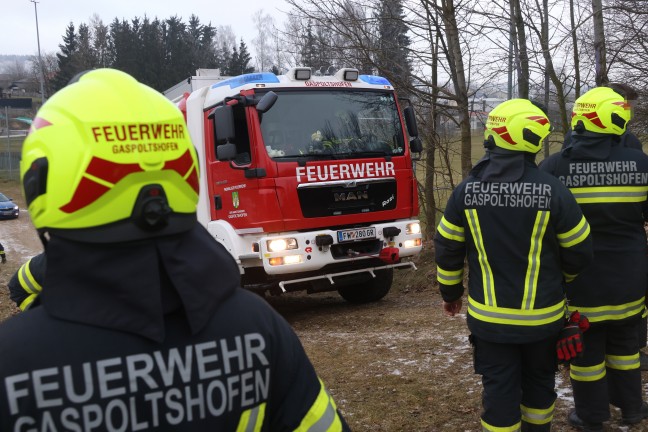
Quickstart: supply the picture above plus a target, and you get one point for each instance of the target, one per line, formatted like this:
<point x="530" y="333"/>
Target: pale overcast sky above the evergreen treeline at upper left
<point x="18" y="26"/>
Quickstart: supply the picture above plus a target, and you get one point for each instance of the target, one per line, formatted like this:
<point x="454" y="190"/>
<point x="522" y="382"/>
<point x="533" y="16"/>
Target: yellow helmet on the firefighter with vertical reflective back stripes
<point x="517" y="125"/>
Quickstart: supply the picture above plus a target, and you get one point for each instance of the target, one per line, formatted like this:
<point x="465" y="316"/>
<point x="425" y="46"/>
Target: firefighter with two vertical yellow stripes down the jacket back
<point x="522" y="233"/>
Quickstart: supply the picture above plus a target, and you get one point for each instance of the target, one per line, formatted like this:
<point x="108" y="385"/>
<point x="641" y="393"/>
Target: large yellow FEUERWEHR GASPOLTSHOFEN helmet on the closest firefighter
<point x="109" y="159"/>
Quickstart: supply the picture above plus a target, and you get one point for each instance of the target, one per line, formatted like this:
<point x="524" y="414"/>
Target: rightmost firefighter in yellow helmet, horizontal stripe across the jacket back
<point x="610" y="183"/>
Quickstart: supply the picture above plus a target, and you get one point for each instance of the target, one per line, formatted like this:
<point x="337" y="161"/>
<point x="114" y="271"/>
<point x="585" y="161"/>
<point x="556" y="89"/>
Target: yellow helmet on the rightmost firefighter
<point x="601" y="110"/>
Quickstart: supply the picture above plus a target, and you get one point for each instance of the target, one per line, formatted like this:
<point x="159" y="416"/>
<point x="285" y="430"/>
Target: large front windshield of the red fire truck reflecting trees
<point x="332" y="123"/>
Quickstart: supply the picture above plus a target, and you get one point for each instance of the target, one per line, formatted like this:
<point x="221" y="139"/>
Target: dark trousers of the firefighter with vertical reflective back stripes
<point x="518" y="381"/>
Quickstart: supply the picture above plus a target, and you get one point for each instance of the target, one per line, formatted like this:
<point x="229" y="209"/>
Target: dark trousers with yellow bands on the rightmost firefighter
<point x="608" y="372"/>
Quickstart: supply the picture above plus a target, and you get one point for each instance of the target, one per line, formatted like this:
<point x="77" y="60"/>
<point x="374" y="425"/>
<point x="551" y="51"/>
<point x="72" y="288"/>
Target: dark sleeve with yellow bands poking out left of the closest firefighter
<point x="26" y="283"/>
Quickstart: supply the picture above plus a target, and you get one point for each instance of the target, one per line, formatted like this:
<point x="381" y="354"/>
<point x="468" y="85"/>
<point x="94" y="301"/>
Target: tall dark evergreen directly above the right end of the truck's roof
<point x="392" y="59"/>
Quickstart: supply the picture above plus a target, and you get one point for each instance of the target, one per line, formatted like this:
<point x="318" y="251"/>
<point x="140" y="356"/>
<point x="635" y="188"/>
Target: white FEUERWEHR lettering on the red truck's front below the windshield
<point x="344" y="171"/>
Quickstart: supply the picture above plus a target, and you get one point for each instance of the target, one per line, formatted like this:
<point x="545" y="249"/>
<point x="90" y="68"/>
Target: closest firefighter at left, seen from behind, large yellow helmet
<point x="142" y="324"/>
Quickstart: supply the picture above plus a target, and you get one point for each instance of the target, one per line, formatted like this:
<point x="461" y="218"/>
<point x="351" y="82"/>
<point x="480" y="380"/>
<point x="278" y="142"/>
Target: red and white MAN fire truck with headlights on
<point x="306" y="180"/>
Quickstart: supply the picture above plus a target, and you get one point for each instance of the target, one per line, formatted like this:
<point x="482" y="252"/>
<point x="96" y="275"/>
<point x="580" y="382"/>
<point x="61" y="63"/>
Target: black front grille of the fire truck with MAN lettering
<point x="347" y="197"/>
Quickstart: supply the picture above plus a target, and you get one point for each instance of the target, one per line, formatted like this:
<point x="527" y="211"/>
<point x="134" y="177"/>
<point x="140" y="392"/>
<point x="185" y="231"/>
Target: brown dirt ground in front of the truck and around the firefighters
<point x="392" y="366"/>
